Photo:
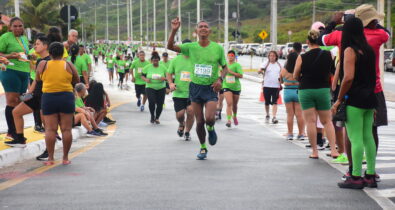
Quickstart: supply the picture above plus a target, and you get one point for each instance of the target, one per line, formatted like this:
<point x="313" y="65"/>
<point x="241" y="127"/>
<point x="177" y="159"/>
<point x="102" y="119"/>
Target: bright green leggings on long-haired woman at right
<point x="359" y="128"/>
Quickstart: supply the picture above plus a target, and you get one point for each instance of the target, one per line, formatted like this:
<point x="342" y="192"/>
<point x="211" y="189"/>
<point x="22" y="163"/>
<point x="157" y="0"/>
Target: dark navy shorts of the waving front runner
<point x="202" y="93"/>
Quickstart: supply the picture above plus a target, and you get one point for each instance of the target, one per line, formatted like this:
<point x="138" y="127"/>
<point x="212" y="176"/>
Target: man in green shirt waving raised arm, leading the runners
<point x="206" y="56"/>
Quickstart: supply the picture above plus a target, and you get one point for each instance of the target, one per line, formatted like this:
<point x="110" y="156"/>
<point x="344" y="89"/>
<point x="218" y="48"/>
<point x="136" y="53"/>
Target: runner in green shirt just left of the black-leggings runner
<point x="139" y="83"/>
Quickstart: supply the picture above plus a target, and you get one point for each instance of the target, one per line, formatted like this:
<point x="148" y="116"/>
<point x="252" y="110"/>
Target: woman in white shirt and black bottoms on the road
<point x="271" y="84"/>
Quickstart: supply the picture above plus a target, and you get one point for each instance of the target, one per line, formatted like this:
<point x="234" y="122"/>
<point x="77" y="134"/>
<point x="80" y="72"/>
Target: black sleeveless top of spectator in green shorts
<point x="317" y="66"/>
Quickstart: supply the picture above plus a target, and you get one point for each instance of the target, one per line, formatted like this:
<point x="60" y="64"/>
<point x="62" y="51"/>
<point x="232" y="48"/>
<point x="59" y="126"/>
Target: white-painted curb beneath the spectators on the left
<point x="12" y="156"/>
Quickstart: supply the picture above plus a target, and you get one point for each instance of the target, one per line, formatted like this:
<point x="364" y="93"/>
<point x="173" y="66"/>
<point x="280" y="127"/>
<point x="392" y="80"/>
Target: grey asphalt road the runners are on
<point x="149" y="167"/>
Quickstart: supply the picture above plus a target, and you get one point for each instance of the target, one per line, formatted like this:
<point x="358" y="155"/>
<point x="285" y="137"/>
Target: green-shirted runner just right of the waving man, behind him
<point x="232" y="88"/>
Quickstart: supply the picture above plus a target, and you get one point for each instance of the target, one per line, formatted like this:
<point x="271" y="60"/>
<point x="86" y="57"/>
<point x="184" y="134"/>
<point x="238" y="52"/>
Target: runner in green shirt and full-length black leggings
<point x="155" y="76"/>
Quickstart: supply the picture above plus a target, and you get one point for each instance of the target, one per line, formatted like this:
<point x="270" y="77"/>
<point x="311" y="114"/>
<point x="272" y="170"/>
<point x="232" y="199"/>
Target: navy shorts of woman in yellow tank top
<point x="61" y="102"/>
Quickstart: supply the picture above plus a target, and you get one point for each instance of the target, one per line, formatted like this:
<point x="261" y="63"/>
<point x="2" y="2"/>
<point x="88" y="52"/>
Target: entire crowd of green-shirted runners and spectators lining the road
<point x="333" y="90"/>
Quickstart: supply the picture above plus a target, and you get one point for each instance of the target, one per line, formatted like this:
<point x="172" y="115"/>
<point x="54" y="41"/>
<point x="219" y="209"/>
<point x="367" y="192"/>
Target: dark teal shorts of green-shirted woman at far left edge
<point x="14" y="81"/>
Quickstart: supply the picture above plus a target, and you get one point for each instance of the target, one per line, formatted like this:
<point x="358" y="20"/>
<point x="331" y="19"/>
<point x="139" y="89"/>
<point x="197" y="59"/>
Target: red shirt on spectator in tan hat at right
<point x="375" y="38"/>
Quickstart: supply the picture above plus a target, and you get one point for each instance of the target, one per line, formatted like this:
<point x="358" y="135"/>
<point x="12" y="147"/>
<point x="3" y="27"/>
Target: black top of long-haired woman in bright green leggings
<point x="361" y="93"/>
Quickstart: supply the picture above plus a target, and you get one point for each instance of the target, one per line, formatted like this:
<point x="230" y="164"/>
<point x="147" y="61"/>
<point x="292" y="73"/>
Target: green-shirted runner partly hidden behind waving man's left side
<point x="180" y="69"/>
